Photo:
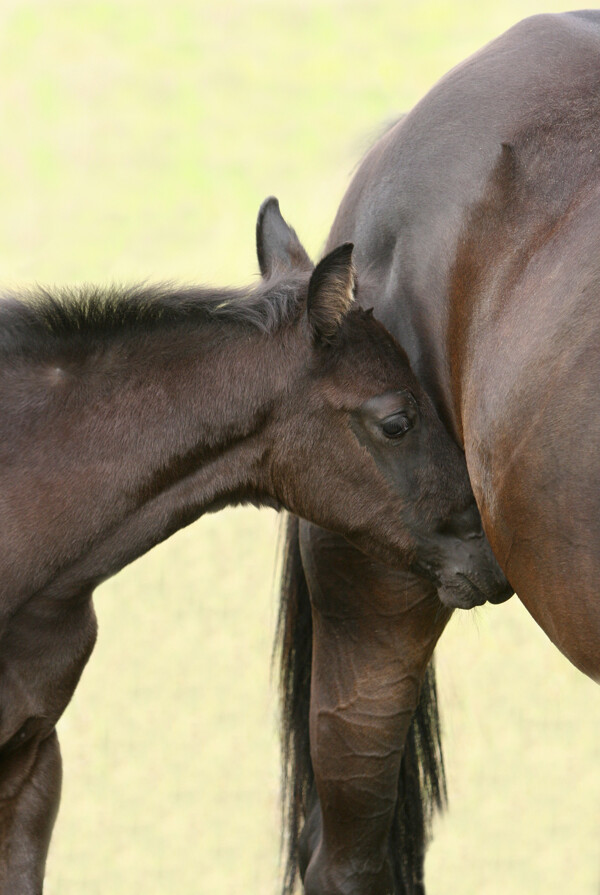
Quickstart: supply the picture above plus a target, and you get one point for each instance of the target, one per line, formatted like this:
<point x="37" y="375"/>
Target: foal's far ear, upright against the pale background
<point x="277" y="245"/>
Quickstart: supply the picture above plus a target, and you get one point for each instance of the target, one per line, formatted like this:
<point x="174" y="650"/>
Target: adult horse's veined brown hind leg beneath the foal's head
<point x="374" y="631"/>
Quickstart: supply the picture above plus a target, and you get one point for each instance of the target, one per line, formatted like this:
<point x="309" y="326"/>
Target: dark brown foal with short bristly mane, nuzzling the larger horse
<point x="126" y="414"/>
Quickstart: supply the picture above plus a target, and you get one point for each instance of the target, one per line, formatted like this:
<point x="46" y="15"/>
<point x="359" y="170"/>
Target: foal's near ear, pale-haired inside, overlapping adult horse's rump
<point x="331" y="293"/>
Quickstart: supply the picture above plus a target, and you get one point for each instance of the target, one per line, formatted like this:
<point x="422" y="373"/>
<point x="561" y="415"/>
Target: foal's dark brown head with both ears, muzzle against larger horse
<point x="358" y="447"/>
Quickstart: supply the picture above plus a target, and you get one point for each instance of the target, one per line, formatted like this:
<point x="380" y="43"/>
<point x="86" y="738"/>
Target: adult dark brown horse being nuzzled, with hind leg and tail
<point x="476" y="221"/>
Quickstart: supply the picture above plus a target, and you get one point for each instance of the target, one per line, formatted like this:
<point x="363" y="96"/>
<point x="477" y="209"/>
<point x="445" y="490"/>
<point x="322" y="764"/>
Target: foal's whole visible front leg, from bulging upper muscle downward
<point x="43" y="650"/>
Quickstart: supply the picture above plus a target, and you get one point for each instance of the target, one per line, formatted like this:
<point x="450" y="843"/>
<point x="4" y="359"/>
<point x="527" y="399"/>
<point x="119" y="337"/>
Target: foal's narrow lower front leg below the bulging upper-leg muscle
<point x="27" y="816"/>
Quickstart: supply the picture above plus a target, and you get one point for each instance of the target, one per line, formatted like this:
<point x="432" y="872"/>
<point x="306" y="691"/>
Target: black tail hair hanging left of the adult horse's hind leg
<point x="293" y="644"/>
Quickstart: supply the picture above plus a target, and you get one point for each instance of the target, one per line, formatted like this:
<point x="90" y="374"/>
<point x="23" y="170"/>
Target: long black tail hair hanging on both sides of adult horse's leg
<point x="422" y="781"/>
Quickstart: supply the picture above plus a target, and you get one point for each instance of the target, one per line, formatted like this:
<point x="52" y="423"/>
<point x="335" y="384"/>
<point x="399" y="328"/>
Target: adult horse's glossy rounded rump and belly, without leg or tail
<point x="479" y="212"/>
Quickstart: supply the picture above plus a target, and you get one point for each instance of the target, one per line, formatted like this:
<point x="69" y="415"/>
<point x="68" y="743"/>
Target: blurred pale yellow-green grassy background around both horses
<point x="138" y="140"/>
